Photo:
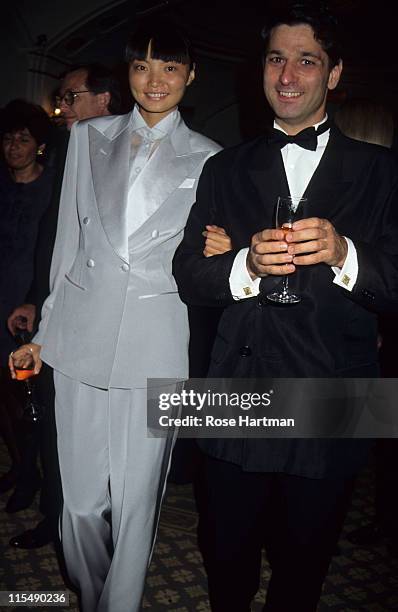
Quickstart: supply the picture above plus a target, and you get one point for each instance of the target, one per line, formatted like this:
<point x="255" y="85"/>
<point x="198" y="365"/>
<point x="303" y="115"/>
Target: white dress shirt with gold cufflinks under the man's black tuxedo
<point x="300" y="164"/>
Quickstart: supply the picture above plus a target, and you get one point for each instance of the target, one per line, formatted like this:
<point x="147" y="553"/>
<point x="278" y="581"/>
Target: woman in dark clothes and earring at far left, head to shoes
<point x="25" y="189"/>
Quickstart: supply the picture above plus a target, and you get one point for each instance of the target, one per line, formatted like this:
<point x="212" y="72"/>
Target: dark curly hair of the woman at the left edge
<point x="20" y="114"/>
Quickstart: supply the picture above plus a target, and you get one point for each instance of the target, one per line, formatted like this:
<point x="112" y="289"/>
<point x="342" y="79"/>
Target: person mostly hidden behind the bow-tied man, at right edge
<point x="372" y="122"/>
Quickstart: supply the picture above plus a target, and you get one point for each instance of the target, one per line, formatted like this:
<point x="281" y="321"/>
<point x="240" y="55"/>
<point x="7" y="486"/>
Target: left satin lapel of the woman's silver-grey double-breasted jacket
<point x="110" y="160"/>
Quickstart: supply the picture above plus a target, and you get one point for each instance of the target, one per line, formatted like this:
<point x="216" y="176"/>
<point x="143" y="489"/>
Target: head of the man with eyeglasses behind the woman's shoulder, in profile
<point x="88" y="91"/>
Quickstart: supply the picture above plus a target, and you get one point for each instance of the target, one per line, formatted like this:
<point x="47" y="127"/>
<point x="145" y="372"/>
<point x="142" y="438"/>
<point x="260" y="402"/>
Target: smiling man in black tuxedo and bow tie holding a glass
<point x="342" y="261"/>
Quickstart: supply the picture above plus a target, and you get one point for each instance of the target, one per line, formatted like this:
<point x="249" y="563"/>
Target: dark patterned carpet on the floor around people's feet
<point x="359" y="579"/>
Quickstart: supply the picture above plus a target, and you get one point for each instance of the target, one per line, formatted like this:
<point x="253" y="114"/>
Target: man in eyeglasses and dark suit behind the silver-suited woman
<point x="87" y="91"/>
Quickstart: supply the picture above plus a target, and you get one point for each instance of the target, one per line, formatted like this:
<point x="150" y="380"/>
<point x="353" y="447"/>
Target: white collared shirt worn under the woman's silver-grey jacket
<point x="144" y="143"/>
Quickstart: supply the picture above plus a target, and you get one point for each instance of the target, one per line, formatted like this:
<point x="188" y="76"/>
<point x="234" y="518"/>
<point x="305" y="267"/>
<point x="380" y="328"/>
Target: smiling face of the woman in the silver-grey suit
<point x="158" y="86"/>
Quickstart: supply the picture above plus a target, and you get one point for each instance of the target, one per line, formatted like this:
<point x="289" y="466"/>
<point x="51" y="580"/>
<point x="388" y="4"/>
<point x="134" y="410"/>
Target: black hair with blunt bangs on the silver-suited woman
<point x="168" y="43"/>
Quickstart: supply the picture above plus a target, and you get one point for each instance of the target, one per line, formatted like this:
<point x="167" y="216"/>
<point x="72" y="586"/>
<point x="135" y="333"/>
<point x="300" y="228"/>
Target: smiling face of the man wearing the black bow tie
<point x="297" y="77"/>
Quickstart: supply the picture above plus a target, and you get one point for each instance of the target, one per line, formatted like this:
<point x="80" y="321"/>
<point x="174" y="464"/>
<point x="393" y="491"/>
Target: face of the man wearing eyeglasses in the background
<point x="85" y="104"/>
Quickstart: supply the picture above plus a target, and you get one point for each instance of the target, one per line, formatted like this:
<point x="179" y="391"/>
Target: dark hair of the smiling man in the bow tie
<point x="318" y="17"/>
